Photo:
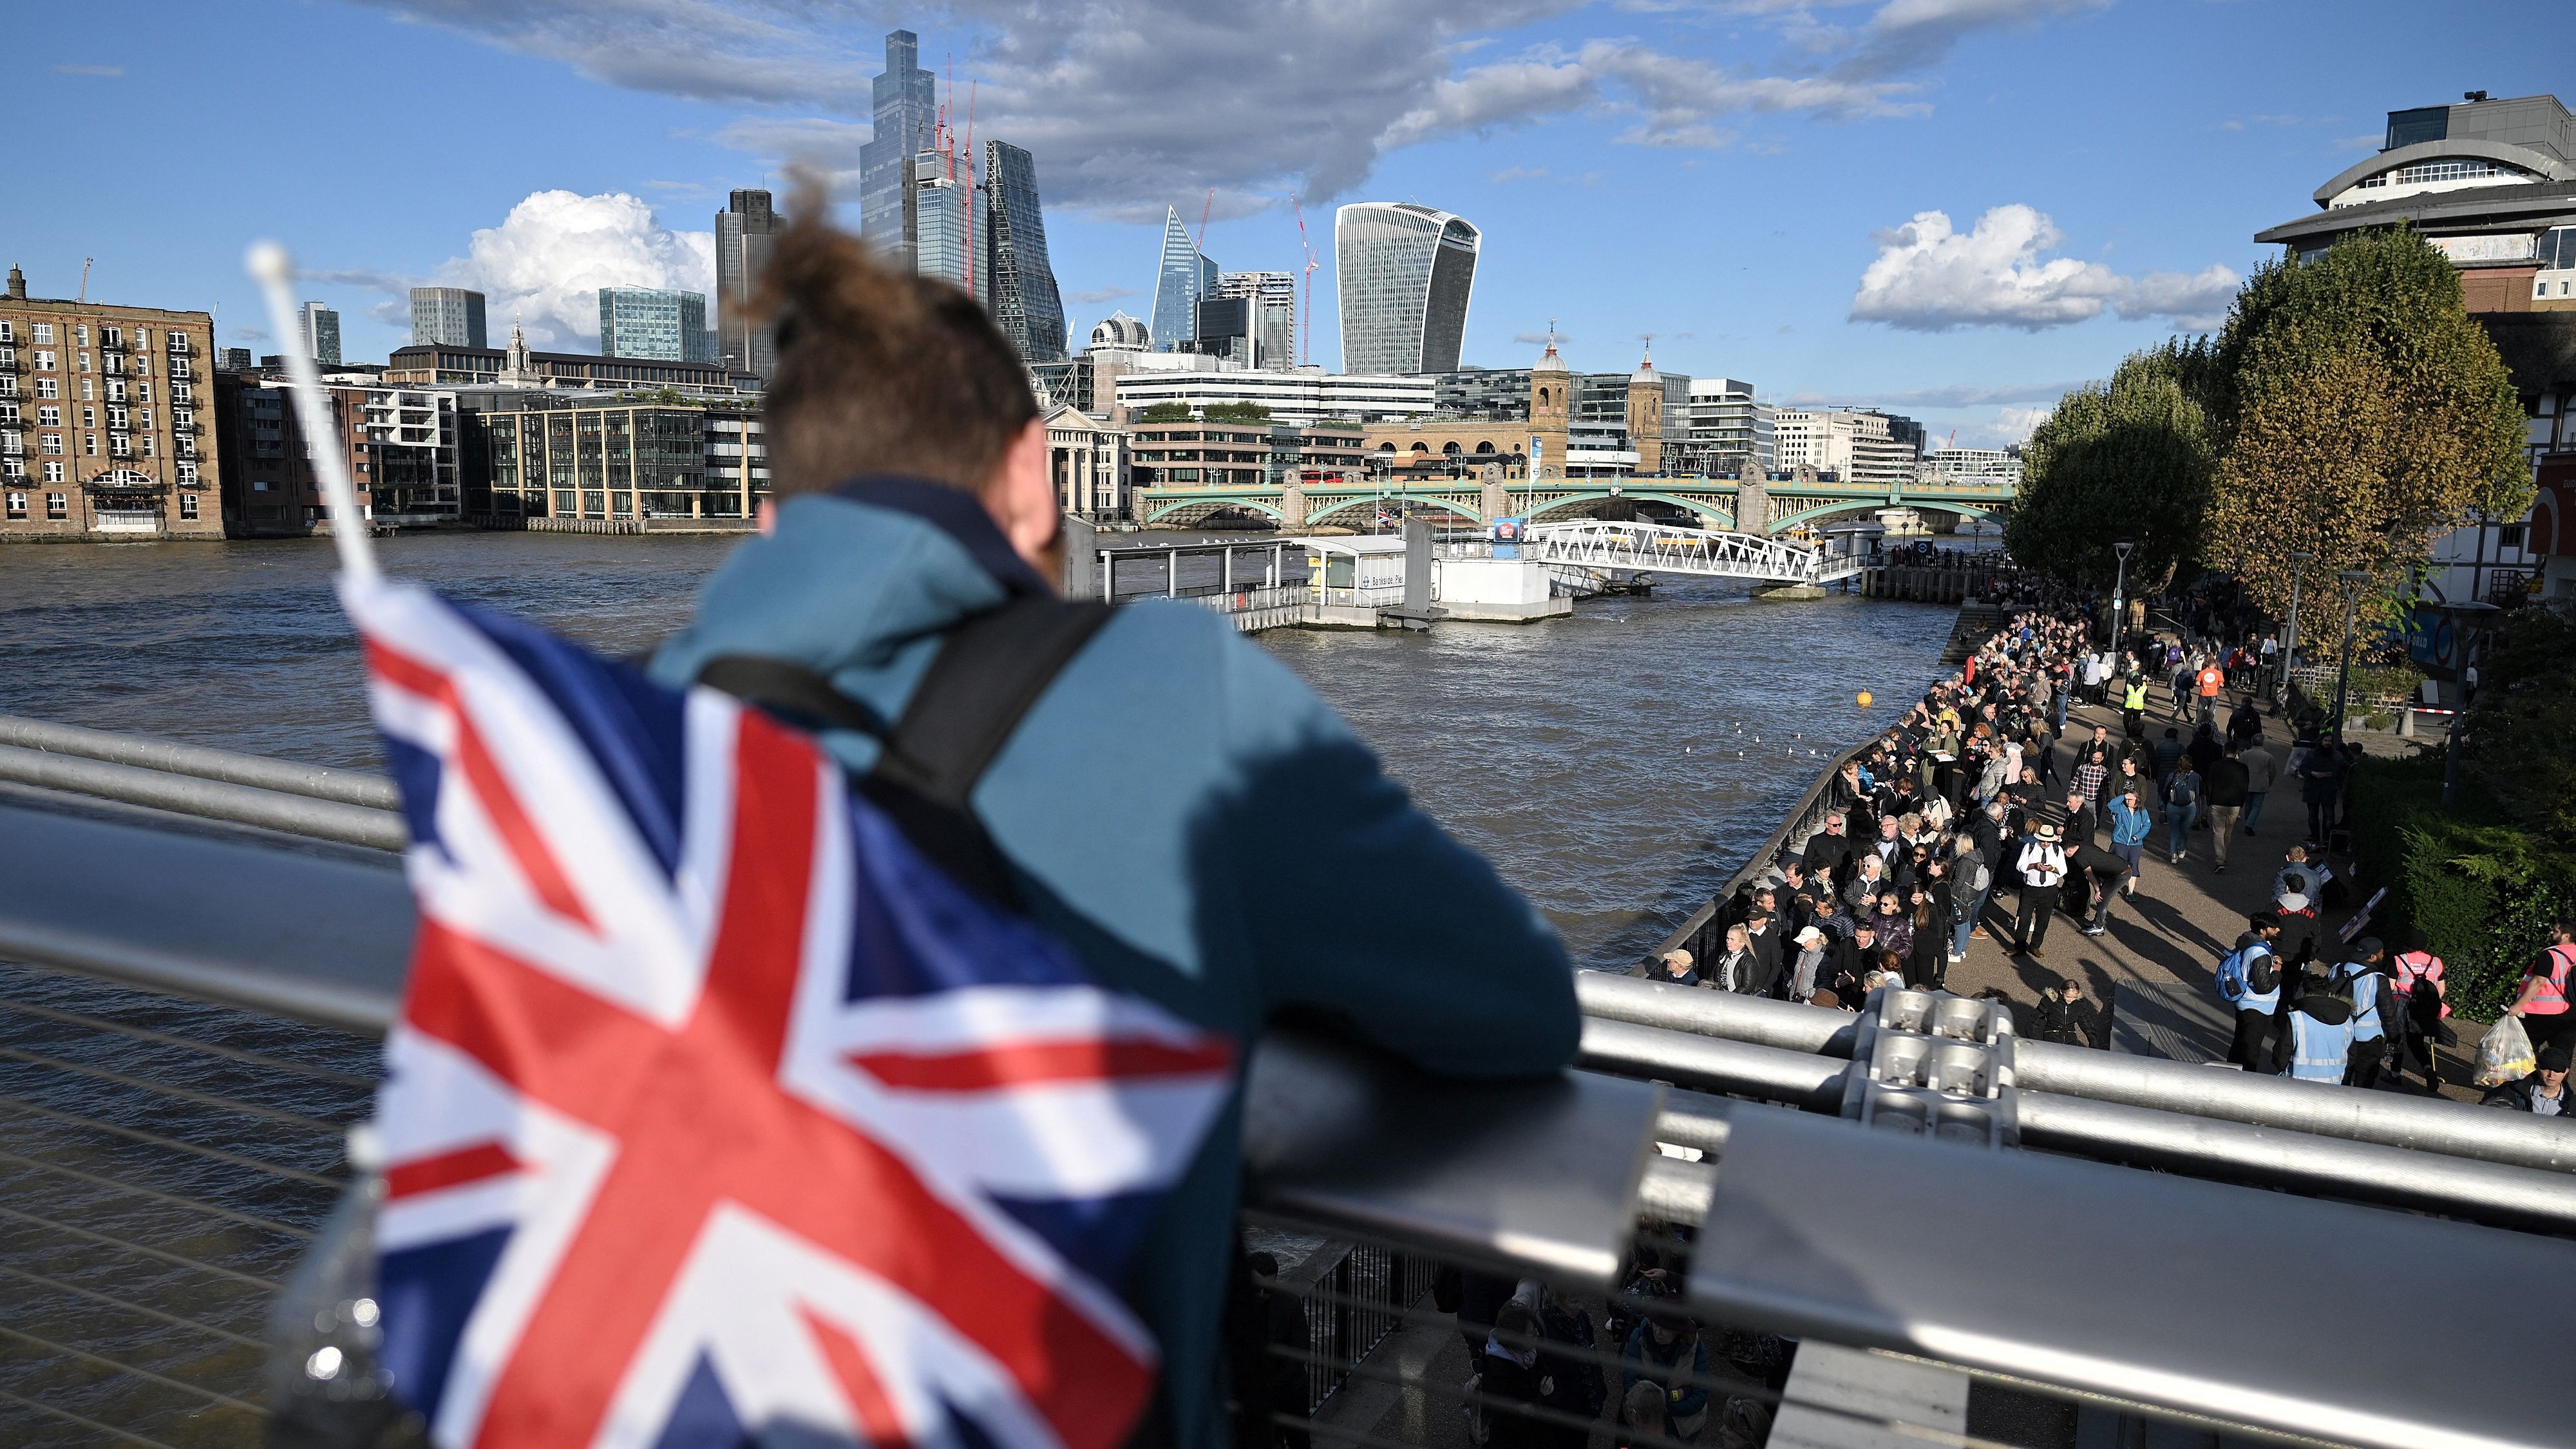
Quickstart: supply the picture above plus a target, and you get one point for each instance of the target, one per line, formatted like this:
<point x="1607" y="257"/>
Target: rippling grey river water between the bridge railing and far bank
<point x="1614" y="764"/>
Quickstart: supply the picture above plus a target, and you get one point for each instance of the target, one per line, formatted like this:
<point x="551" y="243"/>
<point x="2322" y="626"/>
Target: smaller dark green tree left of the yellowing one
<point x="2121" y="460"/>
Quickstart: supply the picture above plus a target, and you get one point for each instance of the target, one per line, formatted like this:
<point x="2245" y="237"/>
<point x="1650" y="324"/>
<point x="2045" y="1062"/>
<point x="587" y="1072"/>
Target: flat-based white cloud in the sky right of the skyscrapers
<point x="1931" y="280"/>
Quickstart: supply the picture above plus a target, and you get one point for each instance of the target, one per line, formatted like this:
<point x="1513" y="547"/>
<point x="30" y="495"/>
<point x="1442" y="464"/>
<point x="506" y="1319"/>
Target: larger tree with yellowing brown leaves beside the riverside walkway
<point x="2361" y="414"/>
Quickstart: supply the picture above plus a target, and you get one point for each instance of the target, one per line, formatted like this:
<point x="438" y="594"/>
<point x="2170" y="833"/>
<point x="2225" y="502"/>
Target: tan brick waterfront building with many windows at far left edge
<point x="107" y="422"/>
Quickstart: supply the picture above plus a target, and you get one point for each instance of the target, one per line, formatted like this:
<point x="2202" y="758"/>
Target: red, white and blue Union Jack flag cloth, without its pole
<point x="717" y="1113"/>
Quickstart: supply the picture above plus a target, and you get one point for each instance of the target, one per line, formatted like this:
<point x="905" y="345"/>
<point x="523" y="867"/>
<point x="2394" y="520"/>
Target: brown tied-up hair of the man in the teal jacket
<point x="880" y="373"/>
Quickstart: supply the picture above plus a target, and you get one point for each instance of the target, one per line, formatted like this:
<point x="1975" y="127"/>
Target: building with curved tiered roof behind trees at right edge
<point x="2492" y="184"/>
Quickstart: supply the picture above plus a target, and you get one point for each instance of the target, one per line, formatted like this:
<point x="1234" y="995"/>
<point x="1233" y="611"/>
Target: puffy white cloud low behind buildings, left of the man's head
<point x="553" y="254"/>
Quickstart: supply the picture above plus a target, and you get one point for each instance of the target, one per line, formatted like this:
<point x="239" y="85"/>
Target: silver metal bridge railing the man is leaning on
<point x="171" y="1156"/>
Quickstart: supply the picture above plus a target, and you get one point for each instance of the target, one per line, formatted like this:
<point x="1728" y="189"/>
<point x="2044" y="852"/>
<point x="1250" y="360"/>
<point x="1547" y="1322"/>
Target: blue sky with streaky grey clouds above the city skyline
<point x="1753" y="182"/>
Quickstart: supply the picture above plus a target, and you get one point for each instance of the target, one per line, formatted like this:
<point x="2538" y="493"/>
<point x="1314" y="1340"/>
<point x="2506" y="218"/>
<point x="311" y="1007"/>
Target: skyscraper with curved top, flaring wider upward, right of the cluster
<point x="1405" y="275"/>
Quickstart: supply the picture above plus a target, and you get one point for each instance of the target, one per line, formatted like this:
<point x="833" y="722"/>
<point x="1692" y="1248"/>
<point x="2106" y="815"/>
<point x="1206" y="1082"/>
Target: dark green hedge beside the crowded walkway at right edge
<point x="2482" y="888"/>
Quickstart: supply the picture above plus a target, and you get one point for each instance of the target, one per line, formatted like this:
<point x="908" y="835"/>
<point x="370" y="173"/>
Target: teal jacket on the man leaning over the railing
<point x="1191" y="821"/>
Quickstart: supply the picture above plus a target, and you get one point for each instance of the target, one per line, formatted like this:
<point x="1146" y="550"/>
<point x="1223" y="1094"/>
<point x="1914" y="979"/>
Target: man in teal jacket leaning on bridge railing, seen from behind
<point x="1176" y="806"/>
